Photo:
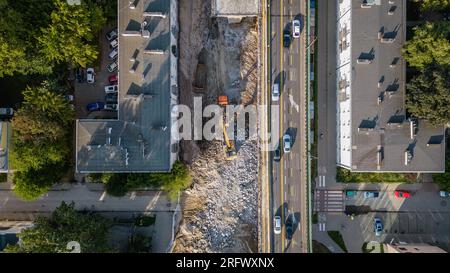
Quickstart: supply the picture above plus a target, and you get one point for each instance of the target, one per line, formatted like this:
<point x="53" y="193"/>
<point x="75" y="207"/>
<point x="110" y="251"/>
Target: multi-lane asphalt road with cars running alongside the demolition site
<point x="287" y="68"/>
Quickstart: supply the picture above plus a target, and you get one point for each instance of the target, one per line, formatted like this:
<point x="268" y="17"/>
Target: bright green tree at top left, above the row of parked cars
<point x="70" y="37"/>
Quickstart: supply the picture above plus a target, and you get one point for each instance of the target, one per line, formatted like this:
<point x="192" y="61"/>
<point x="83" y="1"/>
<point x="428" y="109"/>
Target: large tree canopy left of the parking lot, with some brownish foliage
<point x="41" y="141"/>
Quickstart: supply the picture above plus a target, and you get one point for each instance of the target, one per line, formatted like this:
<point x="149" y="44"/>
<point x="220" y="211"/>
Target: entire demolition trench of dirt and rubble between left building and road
<point x="220" y="209"/>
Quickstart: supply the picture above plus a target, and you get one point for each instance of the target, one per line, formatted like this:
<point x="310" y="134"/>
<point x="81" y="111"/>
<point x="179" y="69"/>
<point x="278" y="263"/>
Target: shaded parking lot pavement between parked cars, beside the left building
<point x="86" y="93"/>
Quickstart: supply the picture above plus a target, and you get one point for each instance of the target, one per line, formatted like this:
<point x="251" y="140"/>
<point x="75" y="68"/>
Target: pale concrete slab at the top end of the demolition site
<point x="230" y="8"/>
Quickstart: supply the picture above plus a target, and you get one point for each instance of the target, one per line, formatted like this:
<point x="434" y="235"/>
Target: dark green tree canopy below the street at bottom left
<point x="51" y="235"/>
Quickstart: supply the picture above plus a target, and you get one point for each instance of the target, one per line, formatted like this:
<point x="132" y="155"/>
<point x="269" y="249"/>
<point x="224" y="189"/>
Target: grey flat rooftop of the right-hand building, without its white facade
<point x="379" y="123"/>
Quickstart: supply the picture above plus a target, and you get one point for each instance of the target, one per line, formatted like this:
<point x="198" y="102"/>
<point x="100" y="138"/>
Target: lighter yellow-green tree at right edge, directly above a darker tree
<point x="430" y="45"/>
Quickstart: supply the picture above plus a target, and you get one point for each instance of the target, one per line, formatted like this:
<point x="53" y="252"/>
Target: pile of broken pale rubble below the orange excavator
<point x="222" y="202"/>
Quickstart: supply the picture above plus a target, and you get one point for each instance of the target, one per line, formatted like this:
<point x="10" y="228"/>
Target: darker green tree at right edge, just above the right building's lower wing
<point x="428" y="95"/>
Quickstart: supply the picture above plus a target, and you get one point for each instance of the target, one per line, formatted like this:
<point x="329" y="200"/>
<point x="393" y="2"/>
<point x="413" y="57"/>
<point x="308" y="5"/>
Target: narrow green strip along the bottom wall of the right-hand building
<point x="346" y="176"/>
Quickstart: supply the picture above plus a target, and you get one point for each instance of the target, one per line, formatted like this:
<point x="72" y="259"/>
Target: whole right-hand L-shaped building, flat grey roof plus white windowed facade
<point x="374" y="131"/>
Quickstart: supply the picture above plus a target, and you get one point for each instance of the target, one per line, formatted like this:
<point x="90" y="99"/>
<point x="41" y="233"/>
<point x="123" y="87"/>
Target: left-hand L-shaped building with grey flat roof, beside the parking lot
<point x="140" y="140"/>
